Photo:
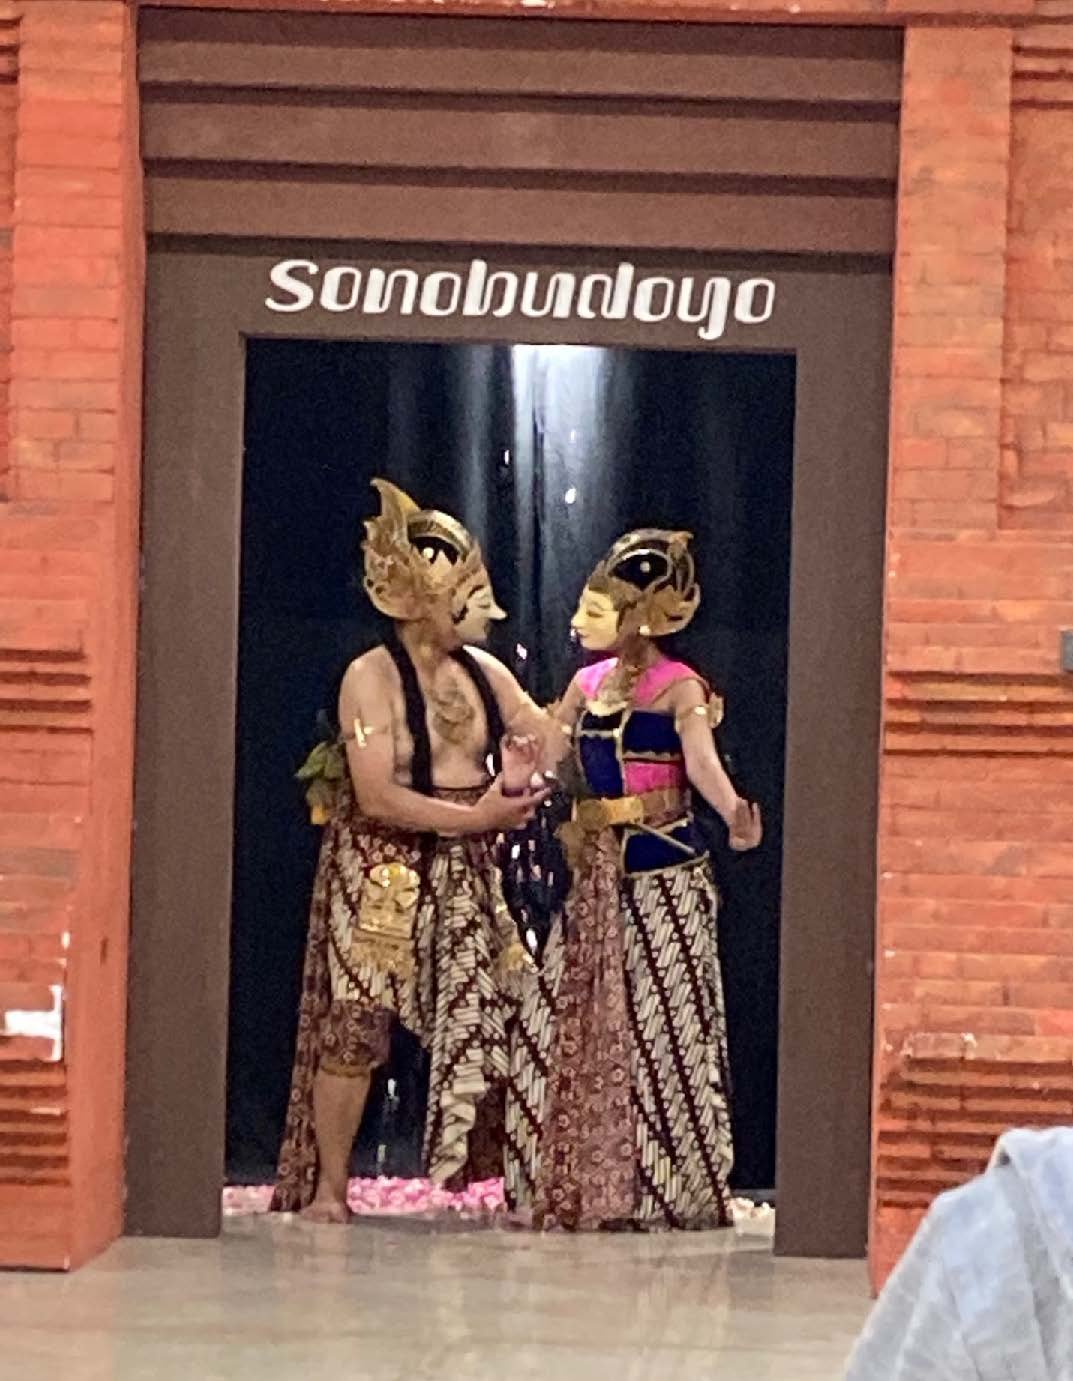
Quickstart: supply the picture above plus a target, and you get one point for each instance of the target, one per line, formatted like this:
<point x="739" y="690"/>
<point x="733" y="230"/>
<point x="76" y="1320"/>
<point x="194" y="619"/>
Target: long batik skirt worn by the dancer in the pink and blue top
<point x="618" y="1101"/>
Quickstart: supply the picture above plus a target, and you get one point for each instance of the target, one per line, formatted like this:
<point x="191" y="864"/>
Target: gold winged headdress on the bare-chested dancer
<point x="415" y="557"/>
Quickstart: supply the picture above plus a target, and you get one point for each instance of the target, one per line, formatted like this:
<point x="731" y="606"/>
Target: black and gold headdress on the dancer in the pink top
<point x="651" y="579"/>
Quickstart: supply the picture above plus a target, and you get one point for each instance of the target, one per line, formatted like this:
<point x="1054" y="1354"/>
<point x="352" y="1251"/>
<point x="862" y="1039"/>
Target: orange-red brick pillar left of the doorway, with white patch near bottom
<point x="68" y="585"/>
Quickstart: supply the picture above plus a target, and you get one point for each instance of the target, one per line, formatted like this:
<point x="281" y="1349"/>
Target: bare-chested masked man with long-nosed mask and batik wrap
<point x="408" y="920"/>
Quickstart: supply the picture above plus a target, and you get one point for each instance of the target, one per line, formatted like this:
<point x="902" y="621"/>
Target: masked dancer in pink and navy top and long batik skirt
<point x="618" y="1111"/>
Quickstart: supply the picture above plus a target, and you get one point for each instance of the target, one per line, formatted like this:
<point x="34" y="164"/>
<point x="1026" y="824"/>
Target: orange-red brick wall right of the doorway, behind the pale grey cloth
<point x="976" y="947"/>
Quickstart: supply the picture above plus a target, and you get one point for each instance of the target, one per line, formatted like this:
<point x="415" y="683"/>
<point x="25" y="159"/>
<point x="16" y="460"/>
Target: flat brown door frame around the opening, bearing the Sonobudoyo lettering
<point x="202" y="306"/>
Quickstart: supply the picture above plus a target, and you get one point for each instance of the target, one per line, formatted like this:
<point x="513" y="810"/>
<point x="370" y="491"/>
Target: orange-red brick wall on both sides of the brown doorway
<point x="976" y="962"/>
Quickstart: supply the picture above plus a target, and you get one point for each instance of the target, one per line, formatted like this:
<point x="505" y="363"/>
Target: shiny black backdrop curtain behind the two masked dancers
<point x="548" y="455"/>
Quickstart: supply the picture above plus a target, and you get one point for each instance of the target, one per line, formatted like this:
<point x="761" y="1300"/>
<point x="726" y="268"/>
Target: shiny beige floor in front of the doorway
<point x="275" y="1300"/>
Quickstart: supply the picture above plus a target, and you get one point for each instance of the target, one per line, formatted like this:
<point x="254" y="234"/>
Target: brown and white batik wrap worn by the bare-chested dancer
<point x="454" y="981"/>
